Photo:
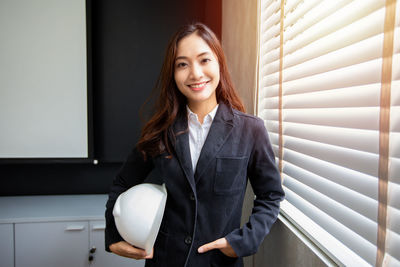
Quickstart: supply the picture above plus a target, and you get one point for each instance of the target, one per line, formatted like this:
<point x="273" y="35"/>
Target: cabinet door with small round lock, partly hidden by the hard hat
<point x="102" y="258"/>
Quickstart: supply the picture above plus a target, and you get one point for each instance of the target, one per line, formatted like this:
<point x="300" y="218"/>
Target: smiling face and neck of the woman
<point x="196" y="71"/>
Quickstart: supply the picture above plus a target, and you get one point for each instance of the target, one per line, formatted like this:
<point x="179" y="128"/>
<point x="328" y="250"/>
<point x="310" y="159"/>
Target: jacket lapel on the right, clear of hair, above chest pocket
<point x="220" y="130"/>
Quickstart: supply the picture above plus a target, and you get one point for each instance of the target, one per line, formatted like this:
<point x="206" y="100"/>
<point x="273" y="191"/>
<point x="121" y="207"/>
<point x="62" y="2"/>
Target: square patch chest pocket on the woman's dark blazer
<point x="230" y="177"/>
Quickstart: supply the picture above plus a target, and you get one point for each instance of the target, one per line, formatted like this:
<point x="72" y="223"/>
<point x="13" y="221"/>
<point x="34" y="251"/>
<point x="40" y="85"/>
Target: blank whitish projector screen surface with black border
<point x="43" y="79"/>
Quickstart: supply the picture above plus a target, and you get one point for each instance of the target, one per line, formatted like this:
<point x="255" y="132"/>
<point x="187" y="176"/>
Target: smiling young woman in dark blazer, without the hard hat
<point x="206" y="149"/>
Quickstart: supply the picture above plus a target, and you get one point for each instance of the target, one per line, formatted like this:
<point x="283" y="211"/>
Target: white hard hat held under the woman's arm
<point x="138" y="213"/>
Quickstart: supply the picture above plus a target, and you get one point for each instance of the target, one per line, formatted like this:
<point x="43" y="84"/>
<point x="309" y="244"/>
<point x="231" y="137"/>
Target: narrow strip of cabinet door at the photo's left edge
<point x="7" y="245"/>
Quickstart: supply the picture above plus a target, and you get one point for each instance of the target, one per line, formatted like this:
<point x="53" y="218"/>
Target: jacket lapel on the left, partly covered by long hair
<point x="182" y="148"/>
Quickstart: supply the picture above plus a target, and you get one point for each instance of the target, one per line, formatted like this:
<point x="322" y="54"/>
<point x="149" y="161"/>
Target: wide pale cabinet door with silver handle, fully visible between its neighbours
<point x="49" y="244"/>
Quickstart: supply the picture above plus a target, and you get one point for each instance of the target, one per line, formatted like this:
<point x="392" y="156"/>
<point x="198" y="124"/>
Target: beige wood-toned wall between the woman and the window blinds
<point x="239" y="39"/>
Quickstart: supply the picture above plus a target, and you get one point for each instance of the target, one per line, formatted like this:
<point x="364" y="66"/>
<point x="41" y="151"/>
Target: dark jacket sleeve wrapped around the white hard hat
<point x="133" y="172"/>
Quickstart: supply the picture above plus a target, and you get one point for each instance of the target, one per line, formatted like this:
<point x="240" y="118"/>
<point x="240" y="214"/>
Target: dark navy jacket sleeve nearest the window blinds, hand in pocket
<point x="266" y="183"/>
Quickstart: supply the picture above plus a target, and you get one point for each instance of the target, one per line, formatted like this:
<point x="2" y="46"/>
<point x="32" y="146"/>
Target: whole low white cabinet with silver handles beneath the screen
<point x="48" y="231"/>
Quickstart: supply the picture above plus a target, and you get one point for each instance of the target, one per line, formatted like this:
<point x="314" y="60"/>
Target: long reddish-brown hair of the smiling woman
<point x="171" y="102"/>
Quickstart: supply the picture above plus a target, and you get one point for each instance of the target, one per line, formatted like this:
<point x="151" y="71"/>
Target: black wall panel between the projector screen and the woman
<point x="131" y="40"/>
